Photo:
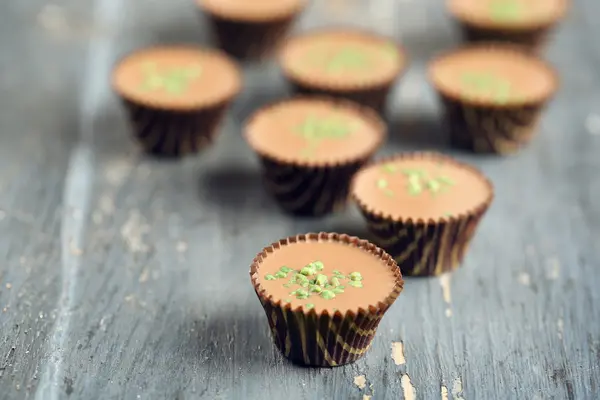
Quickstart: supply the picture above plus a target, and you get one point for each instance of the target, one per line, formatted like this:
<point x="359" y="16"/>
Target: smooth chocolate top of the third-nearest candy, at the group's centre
<point x="314" y="131"/>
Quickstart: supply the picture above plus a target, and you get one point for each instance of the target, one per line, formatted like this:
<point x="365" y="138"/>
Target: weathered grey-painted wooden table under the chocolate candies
<point x="127" y="278"/>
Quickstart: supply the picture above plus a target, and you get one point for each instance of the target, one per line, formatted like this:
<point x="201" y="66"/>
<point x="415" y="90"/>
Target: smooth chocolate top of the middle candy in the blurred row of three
<point x="342" y="59"/>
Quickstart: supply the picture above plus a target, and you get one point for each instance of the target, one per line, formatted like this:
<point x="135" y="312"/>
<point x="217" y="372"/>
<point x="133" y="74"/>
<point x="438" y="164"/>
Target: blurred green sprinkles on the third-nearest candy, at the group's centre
<point x="315" y="129"/>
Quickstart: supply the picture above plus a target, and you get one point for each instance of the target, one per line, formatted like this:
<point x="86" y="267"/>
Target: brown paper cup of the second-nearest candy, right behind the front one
<point x="425" y="248"/>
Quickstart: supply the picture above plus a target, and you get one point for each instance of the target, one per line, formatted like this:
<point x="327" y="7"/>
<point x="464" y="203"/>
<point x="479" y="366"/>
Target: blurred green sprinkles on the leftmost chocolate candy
<point x="173" y="81"/>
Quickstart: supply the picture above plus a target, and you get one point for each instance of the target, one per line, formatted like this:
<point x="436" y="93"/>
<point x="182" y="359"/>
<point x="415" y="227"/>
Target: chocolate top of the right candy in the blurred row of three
<point x="495" y="75"/>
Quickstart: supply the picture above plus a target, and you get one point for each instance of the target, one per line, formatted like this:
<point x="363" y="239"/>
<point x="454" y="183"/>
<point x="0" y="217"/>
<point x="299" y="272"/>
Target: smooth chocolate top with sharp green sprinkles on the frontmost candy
<point x="362" y="279"/>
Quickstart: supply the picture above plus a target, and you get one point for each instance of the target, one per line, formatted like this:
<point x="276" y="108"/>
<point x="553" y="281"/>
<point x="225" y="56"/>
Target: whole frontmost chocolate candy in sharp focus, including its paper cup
<point x="324" y="295"/>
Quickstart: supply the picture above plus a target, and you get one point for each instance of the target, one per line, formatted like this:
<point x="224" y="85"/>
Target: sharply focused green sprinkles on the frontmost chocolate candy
<point x="311" y="280"/>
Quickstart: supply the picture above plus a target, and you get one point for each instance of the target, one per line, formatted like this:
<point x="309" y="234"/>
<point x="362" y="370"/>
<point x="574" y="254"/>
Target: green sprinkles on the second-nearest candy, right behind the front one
<point x="419" y="181"/>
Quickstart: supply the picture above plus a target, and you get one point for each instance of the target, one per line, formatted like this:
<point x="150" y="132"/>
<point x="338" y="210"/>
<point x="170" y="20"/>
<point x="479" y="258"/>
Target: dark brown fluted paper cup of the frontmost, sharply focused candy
<point x="320" y="339"/>
